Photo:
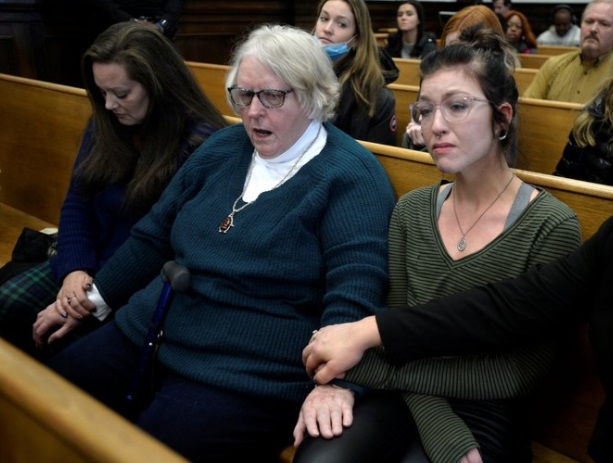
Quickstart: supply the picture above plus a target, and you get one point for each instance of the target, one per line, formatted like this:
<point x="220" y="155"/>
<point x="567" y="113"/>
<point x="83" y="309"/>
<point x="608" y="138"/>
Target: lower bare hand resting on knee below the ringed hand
<point x="325" y="411"/>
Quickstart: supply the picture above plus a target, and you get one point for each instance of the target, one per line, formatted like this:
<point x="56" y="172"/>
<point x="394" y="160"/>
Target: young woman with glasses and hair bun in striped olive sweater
<point x="485" y="226"/>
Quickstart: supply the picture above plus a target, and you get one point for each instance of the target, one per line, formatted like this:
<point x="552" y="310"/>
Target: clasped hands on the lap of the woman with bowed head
<point x="63" y="315"/>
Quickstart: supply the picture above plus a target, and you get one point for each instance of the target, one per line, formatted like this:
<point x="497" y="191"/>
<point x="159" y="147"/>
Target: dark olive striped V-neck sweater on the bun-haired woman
<point x="421" y="270"/>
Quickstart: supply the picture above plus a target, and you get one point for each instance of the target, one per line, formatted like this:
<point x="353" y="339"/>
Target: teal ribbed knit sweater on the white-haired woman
<point x="310" y="253"/>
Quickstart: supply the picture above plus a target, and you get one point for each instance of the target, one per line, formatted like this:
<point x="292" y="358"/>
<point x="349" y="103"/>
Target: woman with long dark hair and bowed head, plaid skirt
<point x="148" y="115"/>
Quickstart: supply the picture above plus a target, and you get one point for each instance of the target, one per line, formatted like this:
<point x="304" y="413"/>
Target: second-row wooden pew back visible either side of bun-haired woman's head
<point x="543" y="127"/>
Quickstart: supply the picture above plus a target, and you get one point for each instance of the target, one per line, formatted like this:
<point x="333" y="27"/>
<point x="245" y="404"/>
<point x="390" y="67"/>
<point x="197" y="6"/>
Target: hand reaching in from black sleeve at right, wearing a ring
<point x="334" y="349"/>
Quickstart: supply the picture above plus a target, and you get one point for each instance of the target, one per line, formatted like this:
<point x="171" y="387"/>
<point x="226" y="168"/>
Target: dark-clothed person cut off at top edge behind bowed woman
<point x="162" y="15"/>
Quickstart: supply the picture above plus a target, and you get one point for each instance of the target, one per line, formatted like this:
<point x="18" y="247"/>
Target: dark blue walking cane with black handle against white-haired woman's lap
<point x="176" y="278"/>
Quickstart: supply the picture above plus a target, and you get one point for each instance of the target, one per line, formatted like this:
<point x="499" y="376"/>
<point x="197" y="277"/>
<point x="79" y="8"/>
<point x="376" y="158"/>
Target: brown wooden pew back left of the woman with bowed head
<point x="42" y="125"/>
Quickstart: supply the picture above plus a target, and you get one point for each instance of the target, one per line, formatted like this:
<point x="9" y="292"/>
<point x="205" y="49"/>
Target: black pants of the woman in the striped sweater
<point x="383" y="431"/>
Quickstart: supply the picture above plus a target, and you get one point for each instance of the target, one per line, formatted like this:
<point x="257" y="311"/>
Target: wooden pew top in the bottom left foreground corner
<point x="45" y="418"/>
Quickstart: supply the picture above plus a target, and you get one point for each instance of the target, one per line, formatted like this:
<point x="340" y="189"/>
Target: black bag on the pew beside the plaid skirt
<point x="32" y="248"/>
